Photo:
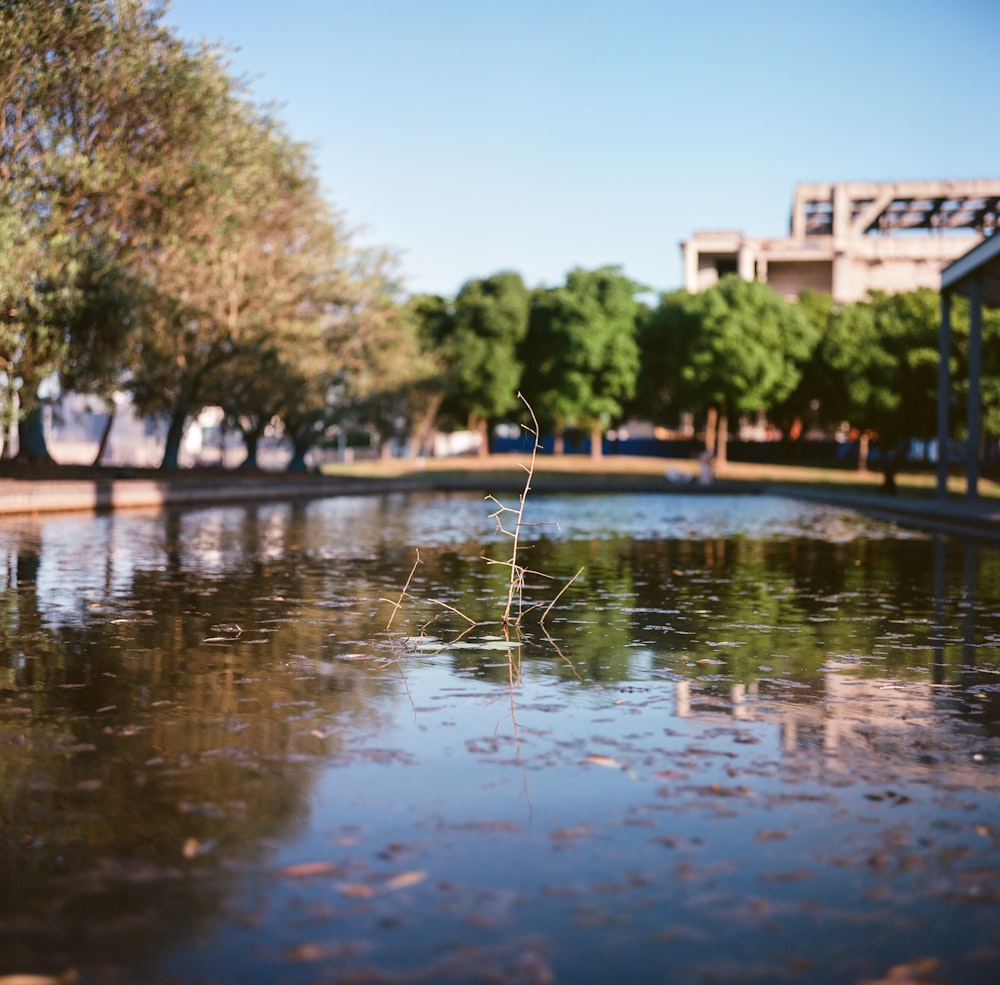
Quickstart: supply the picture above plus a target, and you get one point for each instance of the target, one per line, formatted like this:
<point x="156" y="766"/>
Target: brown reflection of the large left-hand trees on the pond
<point x="142" y="769"/>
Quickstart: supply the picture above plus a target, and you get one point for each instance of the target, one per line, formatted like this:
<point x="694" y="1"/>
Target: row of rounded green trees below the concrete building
<point x="591" y="353"/>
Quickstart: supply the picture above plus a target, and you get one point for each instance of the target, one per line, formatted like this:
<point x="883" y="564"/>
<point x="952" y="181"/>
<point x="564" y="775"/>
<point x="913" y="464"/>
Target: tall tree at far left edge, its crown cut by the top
<point x="88" y="95"/>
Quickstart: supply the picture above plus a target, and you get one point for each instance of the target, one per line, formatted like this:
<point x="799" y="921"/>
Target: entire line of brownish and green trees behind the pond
<point x="162" y="237"/>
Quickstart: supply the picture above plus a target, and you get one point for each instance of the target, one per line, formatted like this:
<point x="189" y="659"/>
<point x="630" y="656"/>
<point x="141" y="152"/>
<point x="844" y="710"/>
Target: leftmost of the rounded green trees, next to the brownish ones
<point x="479" y="347"/>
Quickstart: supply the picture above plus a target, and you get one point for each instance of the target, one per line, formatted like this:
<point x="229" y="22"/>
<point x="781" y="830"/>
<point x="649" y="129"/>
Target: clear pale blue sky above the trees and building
<point x="539" y="135"/>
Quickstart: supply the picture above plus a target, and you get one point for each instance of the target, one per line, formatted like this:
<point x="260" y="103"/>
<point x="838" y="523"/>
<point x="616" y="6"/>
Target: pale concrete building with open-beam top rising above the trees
<point x="848" y="238"/>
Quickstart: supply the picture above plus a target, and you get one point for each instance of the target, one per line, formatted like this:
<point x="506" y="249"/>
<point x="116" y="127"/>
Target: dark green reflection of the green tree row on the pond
<point x="749" y="611"/>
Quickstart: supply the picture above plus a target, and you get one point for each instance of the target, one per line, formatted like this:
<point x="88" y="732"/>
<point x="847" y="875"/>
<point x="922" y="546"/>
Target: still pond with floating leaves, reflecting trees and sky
<point x="753" y="741"/>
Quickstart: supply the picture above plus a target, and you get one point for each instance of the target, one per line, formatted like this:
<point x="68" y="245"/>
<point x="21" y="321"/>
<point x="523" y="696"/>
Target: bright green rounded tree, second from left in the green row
<point x="581" y="353"/>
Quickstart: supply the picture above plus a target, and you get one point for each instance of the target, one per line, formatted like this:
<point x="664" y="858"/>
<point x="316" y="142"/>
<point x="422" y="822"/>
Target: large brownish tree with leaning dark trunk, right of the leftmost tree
<point x="253" y="256"/>
